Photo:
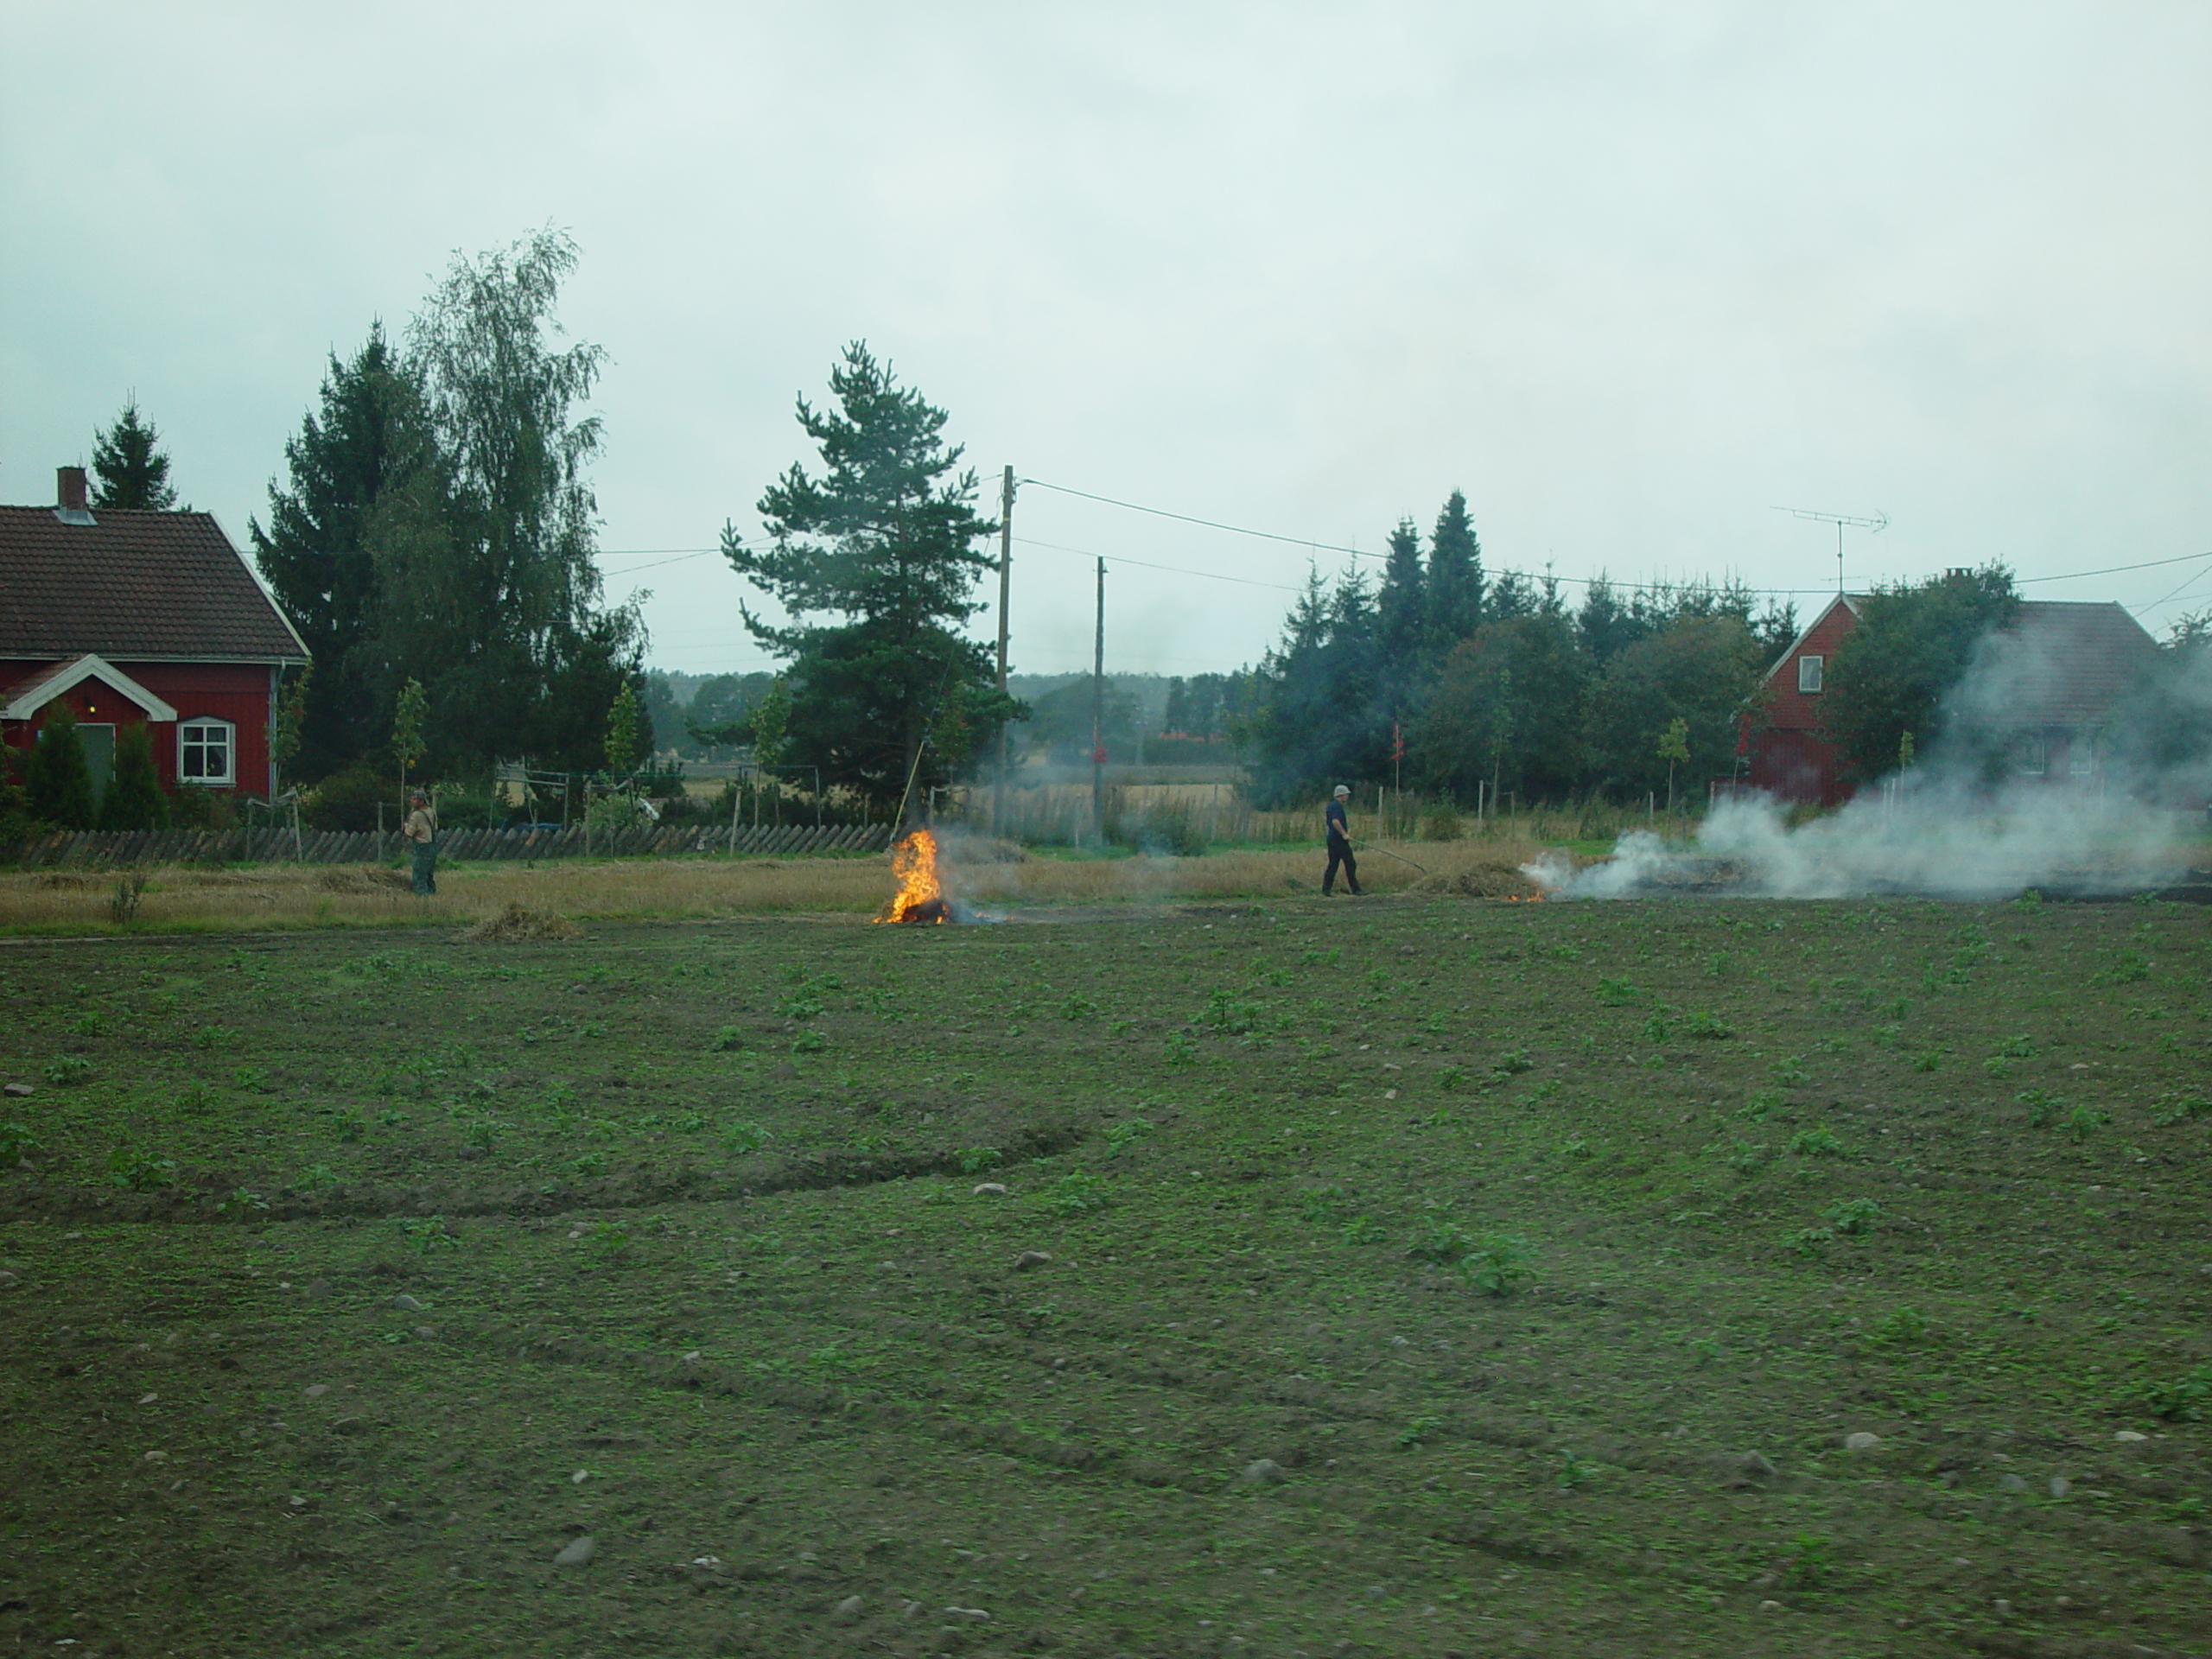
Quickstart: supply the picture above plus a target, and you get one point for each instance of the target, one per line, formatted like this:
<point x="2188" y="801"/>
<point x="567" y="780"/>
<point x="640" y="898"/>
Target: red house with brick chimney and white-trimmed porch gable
<point x="140" y="618"/>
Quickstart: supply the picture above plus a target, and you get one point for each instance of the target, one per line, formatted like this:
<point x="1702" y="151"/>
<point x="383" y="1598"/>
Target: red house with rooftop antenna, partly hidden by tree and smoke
<point x="2041" y="691"/>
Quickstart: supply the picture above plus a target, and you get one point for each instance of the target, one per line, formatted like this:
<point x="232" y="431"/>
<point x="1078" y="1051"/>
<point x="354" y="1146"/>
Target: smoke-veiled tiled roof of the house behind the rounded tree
<point x="2058" y="665"/>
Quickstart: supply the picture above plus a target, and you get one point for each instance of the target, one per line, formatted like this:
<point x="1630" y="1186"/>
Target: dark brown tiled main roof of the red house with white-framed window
<point x="132" y="585"/>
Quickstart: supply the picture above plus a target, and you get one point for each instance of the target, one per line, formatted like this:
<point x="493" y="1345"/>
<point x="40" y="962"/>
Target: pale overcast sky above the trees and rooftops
<point x="1627" y="275"/>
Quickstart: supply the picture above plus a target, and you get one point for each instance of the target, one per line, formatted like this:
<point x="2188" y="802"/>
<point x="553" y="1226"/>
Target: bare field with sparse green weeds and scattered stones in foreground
<point x="1373" y="1277"/>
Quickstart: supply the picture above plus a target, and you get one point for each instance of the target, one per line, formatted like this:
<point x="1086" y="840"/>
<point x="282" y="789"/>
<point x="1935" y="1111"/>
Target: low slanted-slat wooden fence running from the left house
<point x="118" y="848"/>
